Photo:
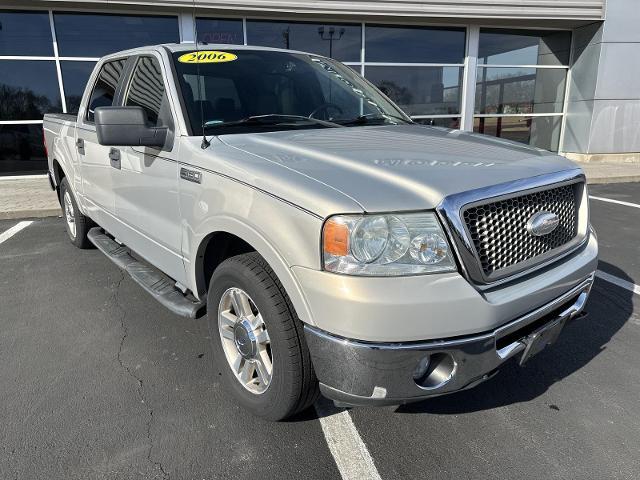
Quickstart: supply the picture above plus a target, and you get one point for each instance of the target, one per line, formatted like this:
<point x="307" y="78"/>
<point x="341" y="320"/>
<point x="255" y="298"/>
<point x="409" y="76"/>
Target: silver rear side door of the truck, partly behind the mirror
<point x="95" y="164"/>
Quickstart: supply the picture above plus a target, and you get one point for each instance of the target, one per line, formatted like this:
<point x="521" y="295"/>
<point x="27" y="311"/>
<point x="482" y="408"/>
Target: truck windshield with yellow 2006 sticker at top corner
<point x="241" y="91"/>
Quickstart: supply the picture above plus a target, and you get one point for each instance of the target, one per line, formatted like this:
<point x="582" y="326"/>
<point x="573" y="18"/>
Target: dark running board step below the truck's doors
<point x="161" y="287"/>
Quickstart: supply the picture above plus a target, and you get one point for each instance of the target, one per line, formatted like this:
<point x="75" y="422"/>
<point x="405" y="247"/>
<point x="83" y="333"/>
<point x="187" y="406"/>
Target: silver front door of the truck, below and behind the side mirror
<point x="146" y="185"/>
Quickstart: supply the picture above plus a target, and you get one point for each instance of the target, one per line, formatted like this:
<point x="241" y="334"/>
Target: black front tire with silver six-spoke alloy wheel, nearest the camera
<point x="258" y="340"/>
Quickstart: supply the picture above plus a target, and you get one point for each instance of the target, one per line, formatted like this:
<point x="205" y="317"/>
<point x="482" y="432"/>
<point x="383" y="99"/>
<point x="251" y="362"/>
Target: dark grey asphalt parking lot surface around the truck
<point x="97" y="380"/>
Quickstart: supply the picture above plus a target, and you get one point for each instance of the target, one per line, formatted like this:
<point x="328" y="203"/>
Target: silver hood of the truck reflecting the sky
<point x="399" y="167"/>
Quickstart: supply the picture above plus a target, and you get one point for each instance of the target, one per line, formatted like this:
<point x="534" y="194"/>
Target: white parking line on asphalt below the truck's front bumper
<point x="349" y="451"/>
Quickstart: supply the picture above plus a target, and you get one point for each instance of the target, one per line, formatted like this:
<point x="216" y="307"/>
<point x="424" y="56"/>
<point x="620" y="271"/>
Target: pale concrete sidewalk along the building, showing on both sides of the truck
<point x="32" y="197"/>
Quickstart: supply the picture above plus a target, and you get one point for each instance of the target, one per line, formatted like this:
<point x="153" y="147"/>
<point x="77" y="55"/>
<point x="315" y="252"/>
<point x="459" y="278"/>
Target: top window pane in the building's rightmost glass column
<point x="524" y="47"/>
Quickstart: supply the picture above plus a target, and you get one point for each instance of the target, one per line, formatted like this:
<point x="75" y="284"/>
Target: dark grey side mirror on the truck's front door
<point x="127" y="127"/>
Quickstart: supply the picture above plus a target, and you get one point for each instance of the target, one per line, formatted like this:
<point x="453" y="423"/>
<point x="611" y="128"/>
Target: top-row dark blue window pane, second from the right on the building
<point x="414" y="44"/>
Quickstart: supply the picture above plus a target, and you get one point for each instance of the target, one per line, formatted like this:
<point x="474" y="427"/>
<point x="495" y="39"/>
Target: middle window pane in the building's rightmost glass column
<point x="520" y="90"/>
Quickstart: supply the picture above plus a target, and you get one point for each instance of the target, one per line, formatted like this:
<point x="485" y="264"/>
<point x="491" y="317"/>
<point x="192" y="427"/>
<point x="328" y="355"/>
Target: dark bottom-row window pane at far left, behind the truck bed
<point x="21" y="150"/>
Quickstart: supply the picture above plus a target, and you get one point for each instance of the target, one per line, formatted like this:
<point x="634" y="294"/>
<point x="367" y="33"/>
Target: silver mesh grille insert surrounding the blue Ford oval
<point x="499" y="233"/>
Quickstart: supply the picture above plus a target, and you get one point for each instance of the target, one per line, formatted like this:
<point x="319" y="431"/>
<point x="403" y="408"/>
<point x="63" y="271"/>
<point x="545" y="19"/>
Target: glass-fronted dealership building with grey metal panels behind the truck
<point x="556" y="74"/>
